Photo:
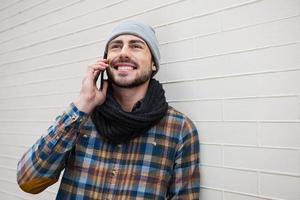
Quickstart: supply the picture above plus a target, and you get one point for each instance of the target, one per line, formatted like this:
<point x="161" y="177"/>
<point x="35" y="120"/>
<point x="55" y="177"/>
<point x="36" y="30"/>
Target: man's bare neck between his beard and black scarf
<point x="127" y="97"/>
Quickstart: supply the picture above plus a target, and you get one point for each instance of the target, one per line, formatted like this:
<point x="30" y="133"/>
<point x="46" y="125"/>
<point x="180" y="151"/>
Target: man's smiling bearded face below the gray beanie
<point x="129" y="72"/>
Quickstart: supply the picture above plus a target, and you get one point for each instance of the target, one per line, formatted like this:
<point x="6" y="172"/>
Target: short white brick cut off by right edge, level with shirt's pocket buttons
<point x="280" y="134"/>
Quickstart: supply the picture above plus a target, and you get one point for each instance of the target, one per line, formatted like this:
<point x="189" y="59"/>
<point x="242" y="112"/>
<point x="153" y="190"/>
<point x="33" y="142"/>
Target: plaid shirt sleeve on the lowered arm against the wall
<point x="185" y="182"/>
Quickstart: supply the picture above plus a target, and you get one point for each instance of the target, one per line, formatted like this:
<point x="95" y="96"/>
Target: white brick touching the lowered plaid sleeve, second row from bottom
<point x="229" y="179"/>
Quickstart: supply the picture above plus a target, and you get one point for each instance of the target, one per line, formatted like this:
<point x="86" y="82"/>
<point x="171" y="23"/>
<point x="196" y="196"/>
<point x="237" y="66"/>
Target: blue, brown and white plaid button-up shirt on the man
<point x="161" y="164"/>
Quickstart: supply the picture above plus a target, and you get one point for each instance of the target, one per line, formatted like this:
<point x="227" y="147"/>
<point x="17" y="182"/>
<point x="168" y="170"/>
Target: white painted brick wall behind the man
<point x="232" y="65"/>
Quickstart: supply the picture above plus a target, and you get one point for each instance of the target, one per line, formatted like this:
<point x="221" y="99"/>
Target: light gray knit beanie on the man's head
<point x="140" y="30"/>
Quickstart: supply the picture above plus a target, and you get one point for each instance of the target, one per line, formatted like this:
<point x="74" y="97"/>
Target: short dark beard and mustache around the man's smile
<point x="141" y="78"/>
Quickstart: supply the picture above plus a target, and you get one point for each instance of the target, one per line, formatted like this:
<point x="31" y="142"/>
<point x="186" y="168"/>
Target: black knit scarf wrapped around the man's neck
<point x="118" y="126"/>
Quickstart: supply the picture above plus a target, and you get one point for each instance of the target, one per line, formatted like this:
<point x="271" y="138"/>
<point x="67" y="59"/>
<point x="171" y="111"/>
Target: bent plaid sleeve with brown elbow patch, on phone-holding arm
<point x="41" y="165"/>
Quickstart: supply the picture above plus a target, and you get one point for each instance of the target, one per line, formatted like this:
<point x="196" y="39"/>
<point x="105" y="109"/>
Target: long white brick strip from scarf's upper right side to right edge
<point x="226" y="87"/>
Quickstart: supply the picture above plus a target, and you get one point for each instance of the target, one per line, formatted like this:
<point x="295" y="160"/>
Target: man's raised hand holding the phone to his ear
<point x="91" y="96"/>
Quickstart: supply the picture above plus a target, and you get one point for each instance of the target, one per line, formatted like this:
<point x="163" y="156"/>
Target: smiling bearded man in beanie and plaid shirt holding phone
<point x="121" y="142"/>
